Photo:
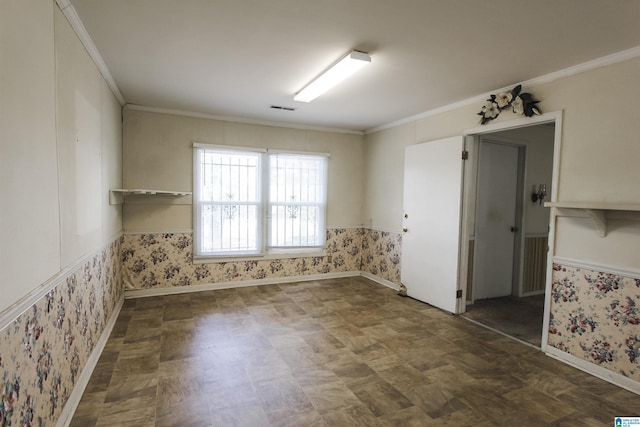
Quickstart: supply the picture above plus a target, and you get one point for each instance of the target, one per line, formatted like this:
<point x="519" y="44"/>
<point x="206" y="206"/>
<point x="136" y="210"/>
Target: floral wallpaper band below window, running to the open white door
<point x="165" y="260"/>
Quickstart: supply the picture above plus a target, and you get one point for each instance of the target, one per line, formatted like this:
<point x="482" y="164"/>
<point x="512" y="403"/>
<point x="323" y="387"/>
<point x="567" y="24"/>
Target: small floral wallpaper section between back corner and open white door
<point x="381" y="252"/>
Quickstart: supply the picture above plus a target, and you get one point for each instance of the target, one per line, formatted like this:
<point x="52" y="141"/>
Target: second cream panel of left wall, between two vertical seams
<point x="79" y="104"/>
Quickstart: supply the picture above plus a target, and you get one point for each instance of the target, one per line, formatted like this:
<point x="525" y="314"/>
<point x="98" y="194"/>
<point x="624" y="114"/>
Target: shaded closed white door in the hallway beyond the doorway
<point x="495" y="220"/>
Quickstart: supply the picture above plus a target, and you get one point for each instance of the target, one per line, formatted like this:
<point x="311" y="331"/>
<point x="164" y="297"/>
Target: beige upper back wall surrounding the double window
<point x="158" y="155"/>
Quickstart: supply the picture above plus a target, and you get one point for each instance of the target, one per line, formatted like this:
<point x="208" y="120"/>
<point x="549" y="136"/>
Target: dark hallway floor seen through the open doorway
<point x="517" y="317"/>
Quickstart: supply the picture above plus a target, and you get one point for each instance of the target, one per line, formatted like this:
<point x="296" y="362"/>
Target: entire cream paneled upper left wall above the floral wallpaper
<point x="53" y="183"/>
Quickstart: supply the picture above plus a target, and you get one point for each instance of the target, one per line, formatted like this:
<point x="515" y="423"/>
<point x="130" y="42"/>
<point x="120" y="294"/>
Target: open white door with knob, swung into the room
<point x="432" y="206"/>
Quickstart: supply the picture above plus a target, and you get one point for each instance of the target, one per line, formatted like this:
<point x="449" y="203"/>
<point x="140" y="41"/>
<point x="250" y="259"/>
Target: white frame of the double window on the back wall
<point x="264" y="249"/>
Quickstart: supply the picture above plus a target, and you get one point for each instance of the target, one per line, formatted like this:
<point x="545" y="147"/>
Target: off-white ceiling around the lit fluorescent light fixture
<point x="236" y="58"/>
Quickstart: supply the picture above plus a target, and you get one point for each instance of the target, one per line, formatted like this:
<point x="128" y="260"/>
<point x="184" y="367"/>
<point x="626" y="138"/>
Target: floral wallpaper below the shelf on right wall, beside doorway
<point x="595" y="316"/>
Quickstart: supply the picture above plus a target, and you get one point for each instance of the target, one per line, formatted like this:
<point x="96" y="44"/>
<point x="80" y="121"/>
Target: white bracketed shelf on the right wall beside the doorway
<point x="600" y="213"/>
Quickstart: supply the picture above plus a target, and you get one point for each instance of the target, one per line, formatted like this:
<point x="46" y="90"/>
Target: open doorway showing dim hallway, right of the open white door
<point x="508" y="240"/>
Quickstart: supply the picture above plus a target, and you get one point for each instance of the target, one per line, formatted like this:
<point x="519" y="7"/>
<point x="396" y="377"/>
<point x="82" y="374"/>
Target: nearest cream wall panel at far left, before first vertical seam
<point x="29" y="232"/>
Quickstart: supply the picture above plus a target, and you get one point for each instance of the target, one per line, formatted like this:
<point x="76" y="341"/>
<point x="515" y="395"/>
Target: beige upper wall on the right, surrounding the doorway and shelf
<point x="597" y="162"/>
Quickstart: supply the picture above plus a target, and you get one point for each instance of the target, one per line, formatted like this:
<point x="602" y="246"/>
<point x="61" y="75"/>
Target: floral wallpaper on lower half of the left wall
<point x="44" y="350"/>
